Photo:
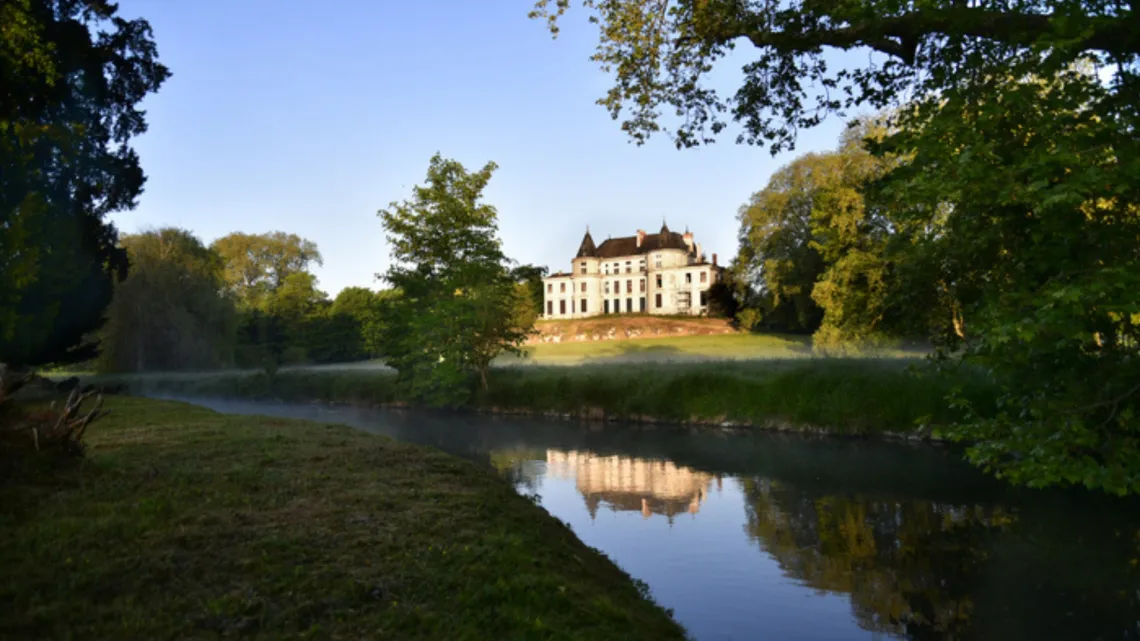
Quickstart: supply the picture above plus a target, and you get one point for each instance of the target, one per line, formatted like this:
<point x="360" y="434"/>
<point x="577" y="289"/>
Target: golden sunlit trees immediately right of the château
<point x="819" y="256"/>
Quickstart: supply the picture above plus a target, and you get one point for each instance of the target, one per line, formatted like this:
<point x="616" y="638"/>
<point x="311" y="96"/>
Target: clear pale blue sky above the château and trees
<point x="310" y="117"/>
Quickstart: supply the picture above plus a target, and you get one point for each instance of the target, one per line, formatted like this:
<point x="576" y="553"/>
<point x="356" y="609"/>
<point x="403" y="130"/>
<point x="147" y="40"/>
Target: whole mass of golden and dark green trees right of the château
<point x="1004" y="232"/>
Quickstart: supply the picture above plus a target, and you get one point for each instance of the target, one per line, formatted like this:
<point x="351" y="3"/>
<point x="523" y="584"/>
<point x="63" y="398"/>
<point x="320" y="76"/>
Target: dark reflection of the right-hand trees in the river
<point x="929" y="571"/>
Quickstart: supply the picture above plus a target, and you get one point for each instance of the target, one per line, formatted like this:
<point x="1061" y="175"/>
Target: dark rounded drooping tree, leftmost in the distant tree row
<point x="172" y="312"/>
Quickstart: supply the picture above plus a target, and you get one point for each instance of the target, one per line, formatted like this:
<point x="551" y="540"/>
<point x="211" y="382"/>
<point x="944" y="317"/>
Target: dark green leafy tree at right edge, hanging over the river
<point x="1040" y="248"/>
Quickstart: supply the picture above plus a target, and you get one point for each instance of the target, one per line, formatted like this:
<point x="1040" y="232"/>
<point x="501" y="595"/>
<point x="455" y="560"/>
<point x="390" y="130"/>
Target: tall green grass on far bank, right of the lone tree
<point x="842" y="395"/>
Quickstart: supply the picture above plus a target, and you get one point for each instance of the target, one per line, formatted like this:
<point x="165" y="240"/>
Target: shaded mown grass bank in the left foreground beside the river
<point x="184" y="523"/>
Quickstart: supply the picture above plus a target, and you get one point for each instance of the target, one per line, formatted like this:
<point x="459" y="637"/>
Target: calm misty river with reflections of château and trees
<point x="783" y="538"/>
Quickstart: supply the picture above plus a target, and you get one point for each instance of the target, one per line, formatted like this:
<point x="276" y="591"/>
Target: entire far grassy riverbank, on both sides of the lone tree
<point x="842" y="395"/>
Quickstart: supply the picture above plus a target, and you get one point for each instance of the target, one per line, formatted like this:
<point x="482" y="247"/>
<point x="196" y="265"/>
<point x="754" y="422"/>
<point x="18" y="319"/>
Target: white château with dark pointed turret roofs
<point x="663" y="273"/>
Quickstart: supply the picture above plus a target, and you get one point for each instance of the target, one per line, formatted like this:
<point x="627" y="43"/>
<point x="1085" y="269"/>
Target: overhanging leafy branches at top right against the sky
<point x="663" y="52"/>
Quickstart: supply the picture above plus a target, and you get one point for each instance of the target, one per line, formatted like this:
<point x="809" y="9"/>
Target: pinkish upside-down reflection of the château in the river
<point x="628" y="484"/>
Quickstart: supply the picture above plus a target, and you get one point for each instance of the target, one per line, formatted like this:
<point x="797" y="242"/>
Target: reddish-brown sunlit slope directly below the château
<point x="624" y="328"/>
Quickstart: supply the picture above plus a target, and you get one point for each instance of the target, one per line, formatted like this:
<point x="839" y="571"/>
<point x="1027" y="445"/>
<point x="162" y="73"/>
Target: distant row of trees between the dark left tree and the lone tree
<point x="247" y="301"/>
